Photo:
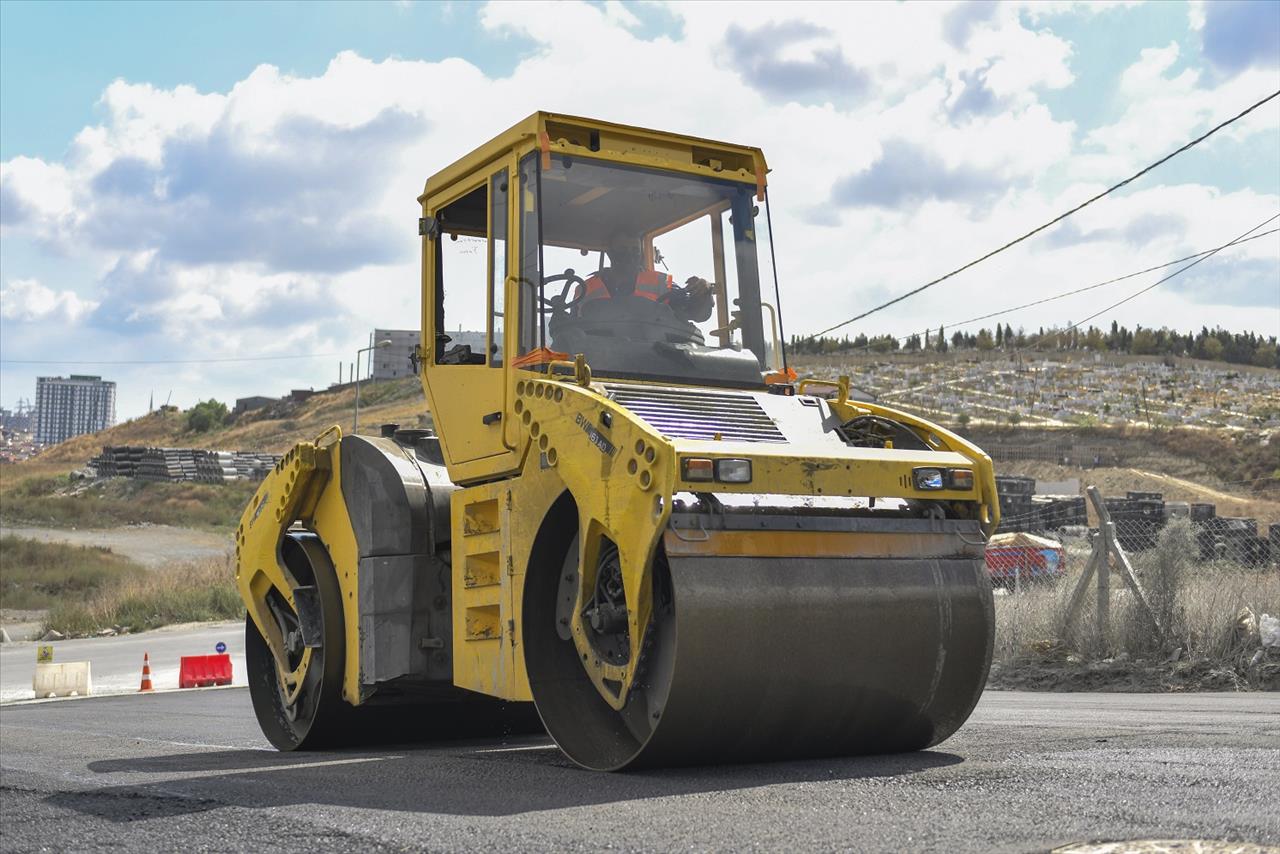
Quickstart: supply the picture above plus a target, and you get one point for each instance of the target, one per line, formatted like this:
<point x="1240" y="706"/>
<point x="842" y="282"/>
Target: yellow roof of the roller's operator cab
<point x="556" y="133"/>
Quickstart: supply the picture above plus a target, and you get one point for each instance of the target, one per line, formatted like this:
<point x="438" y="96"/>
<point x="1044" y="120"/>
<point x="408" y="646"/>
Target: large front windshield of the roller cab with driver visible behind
<point x="650" y="275"/>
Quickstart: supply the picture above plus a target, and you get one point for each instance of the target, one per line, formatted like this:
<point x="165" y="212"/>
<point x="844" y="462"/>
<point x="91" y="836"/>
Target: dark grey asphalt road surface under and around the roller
<point x="1028" y="773"/>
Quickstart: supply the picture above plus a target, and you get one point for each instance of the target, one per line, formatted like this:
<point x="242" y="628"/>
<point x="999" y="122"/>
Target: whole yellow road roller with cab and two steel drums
<point x="629" y="517"/>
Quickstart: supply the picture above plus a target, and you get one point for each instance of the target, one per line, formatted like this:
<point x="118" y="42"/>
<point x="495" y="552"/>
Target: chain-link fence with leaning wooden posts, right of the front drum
<point x="1135" y="577"/>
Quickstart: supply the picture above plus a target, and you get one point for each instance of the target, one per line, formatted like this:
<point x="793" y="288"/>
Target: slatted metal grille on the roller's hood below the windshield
<point x="702" y="414"/>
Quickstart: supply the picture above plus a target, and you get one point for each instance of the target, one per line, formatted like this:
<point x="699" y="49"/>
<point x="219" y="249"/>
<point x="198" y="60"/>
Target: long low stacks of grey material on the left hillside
<point x="198" y="465"/>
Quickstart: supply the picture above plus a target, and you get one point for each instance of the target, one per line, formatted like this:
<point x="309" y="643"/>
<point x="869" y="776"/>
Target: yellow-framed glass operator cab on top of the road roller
<point x="646" y="253"/>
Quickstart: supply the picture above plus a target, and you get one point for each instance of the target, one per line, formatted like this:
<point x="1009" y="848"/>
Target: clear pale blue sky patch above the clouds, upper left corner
<point x="208" y="45"/>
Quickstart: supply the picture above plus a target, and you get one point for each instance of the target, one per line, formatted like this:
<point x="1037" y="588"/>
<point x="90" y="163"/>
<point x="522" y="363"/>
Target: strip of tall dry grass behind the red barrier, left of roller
<point x="186" y="593"/>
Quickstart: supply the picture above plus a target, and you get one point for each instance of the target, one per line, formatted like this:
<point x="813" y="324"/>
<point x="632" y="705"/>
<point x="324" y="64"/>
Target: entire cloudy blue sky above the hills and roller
<point x="226" y="182"/>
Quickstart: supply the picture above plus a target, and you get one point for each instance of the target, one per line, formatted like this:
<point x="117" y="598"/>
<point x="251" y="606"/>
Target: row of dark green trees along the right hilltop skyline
<point x="1217" y="345"/>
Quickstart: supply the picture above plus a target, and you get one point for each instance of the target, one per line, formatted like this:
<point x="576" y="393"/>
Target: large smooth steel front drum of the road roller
<point x="781" y="656"/>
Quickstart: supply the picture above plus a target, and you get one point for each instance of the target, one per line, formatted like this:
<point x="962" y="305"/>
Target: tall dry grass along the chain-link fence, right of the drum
<point x="1199" y="601"/>
